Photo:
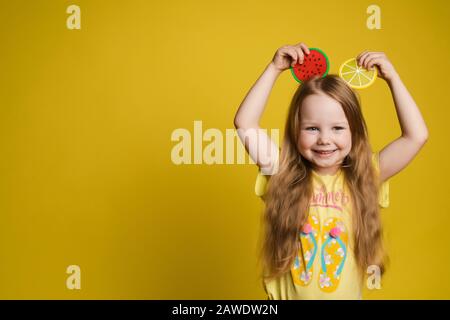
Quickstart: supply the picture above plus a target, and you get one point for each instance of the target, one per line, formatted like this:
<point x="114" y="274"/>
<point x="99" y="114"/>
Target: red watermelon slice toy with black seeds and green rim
<point x="316" y="63"/>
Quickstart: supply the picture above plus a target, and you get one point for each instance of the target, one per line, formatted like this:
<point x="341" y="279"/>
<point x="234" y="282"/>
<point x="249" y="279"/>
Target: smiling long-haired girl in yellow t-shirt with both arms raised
<point x="324" y="190"/>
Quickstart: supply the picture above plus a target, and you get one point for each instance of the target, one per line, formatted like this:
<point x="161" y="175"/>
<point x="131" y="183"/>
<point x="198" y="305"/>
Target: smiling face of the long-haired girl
<point x="324" y="127"/>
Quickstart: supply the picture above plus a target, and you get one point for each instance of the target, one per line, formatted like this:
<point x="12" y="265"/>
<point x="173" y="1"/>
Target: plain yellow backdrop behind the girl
<point x="86" y="118"/>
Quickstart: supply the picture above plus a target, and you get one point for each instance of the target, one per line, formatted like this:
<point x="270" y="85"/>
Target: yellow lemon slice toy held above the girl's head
<point x="357" y="77"/>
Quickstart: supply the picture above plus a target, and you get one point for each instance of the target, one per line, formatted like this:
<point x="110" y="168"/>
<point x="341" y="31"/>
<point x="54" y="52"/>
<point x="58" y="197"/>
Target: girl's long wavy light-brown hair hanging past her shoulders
<point x="290" y="189"/>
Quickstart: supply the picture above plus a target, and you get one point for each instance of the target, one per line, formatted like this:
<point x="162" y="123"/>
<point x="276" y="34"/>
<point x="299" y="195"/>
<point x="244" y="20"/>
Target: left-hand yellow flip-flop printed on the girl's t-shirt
<point x="302" y="270"/>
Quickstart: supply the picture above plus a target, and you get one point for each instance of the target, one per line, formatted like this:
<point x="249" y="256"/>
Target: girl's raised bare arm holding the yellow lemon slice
<point x="396" y="155"/>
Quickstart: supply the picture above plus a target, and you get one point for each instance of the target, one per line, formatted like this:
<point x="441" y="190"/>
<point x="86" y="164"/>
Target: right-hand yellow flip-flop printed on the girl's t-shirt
<point x="333" y="254"/>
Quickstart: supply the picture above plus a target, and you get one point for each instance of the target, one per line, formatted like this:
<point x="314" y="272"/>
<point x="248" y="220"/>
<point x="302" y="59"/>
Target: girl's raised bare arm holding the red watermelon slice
<point x="261" y="149"/>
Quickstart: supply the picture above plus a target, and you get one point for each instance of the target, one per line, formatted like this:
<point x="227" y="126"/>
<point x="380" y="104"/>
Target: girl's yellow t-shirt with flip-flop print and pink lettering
<point x="325" y="267"/>
